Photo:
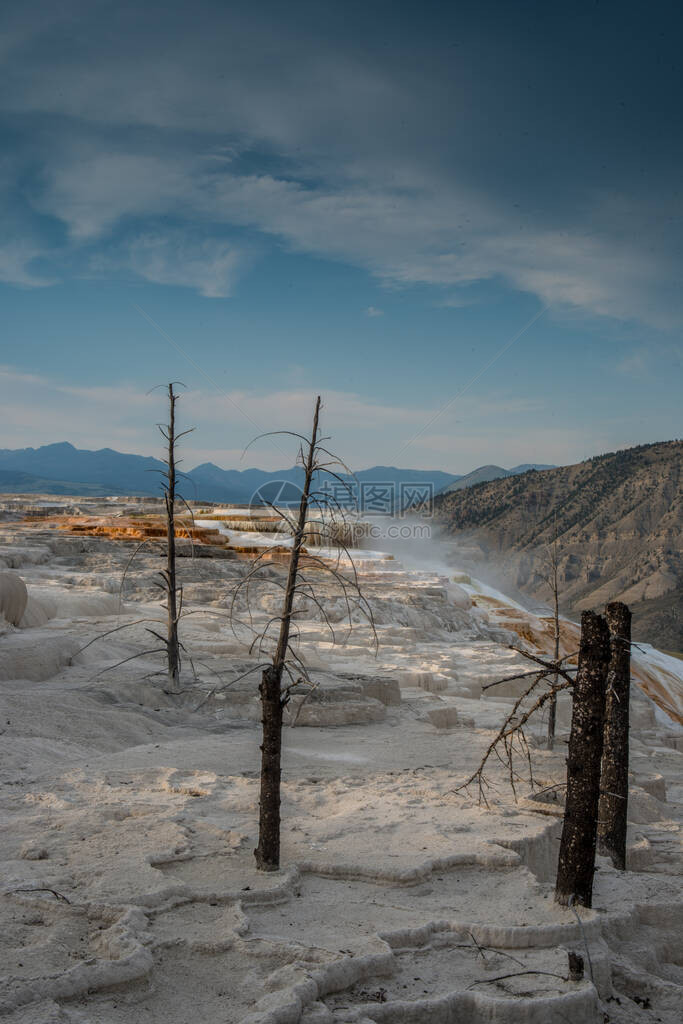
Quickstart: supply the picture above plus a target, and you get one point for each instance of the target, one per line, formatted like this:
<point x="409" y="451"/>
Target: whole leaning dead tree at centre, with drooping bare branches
<point x="286" y="670"/>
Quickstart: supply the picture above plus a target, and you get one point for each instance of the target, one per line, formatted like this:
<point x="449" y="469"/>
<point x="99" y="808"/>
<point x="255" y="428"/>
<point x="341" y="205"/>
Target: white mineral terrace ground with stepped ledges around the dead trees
<point x="130" y="891"/>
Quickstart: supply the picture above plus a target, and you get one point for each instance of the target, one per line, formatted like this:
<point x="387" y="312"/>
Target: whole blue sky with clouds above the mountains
<point x="368" y="201"/>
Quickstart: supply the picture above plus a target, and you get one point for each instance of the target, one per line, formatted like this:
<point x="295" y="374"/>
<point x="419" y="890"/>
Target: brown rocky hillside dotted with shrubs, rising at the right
<point x="618" y="520"/>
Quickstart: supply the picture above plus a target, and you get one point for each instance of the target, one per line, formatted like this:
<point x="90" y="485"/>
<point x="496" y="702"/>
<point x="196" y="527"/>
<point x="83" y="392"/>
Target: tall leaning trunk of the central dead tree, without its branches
<point x="273" y="701"/>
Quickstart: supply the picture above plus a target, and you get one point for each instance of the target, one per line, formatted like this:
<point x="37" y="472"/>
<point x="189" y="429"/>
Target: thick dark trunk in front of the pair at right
<point x="577" y="858"/>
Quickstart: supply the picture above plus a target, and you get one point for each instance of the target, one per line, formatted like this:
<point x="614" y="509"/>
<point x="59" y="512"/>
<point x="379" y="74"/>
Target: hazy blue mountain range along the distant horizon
<point x="63" y="470"/>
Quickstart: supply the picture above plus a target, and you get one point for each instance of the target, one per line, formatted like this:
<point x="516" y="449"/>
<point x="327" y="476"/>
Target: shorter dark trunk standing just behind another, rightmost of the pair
<point x="614" y="807"/>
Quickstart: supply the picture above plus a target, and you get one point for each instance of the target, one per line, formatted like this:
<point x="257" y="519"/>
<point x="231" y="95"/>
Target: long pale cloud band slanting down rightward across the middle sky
<point x="403" y="238"/>
